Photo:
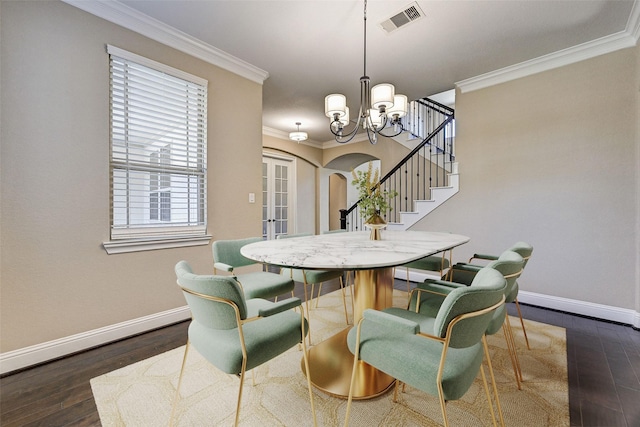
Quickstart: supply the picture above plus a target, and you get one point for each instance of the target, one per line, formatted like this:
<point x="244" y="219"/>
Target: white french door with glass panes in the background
<point x="277" y="197"/>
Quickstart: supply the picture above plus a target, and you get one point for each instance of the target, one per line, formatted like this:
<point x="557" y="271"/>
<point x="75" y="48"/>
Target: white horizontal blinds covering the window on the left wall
<point x="158" y="149"/>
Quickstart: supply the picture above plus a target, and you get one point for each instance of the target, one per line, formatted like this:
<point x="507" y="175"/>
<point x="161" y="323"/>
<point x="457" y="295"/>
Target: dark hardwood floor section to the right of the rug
<point x="603" y="363"/>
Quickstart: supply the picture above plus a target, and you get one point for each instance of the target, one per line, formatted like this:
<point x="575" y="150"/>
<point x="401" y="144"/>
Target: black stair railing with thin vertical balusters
<point x="425" y="167"/>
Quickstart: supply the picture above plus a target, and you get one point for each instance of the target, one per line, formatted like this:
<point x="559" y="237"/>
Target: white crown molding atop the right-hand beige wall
<point x="621" y="40"/>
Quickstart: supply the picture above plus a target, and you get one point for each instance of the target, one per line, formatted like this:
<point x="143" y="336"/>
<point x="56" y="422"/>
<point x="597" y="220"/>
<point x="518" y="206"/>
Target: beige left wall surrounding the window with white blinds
<point x="57" y="280"/>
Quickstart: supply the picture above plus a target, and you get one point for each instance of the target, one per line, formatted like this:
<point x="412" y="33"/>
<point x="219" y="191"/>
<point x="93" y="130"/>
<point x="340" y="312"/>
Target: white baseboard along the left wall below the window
<point x="29" y="356"/>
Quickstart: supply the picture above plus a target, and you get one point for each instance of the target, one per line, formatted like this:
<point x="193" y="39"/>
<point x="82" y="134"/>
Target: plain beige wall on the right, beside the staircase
<point x="552" y="159"/>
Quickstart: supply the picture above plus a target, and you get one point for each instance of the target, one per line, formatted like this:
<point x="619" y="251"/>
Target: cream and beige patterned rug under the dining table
<point x="142" y="394"/>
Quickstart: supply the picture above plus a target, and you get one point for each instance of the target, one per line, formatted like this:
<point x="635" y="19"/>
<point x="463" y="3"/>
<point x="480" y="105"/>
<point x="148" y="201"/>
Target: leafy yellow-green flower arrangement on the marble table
<point x="372" y="199"/>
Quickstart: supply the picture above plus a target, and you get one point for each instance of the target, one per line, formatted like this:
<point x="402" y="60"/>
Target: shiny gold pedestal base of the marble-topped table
<point x="331" y="362"/>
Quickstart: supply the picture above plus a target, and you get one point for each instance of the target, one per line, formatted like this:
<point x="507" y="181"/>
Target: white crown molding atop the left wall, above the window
<point x="131" y="19"/>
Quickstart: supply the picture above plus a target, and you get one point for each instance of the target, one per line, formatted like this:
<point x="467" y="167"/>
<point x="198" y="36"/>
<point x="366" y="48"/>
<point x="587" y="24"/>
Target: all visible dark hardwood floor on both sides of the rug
<point x="603" y="366"/>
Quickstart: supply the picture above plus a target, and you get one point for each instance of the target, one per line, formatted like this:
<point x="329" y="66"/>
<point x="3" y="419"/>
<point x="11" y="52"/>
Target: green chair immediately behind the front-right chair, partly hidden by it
<point x="509" y="264"/>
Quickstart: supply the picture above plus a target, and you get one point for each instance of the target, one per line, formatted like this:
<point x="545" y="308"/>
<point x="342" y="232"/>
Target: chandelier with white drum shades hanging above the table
<point x="380" y="107"/>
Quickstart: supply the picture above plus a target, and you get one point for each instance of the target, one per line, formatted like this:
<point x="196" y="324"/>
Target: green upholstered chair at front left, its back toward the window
<point x="235" y="334"/>
